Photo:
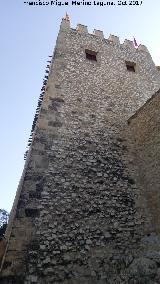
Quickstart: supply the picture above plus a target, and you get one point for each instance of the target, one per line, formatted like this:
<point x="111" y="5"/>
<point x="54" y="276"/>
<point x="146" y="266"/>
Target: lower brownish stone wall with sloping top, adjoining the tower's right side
<point x="144" y="128"/>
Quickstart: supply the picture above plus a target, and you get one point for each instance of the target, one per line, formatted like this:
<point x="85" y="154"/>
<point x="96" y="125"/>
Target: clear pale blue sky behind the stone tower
<point x="28" y="35"/>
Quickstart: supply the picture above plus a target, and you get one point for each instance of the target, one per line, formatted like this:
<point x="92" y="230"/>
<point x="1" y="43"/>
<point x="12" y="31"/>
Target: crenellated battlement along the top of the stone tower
<point x="112" y="39"/>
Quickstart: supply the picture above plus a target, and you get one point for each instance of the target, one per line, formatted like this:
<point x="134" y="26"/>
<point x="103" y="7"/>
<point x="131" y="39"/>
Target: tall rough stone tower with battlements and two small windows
<point x="81" y="214"/>
